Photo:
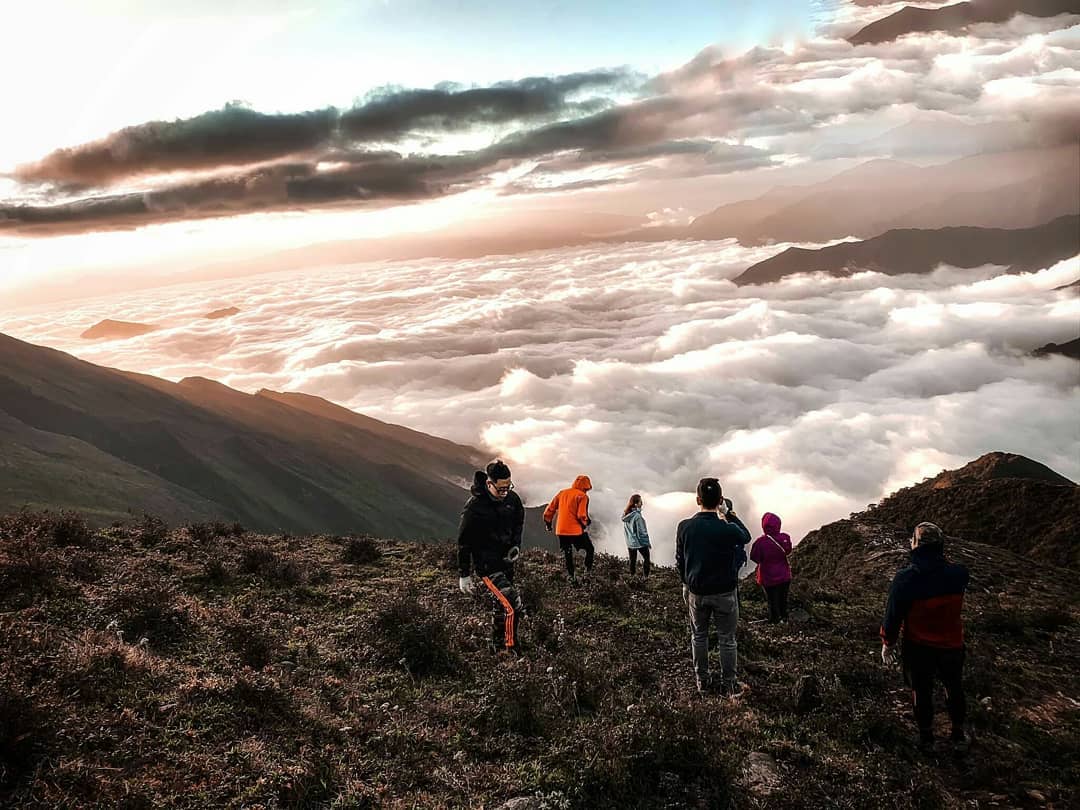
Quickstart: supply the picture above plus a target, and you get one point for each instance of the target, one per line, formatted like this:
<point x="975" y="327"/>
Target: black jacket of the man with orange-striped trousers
<point x="489" y="530"/>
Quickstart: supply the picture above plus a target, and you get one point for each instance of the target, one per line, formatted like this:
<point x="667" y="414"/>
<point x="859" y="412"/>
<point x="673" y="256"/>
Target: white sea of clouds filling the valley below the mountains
<point x="644" y="367"/>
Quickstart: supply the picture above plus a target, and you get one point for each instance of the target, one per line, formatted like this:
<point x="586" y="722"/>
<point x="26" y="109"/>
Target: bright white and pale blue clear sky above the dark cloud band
<point x="116" y="63"/>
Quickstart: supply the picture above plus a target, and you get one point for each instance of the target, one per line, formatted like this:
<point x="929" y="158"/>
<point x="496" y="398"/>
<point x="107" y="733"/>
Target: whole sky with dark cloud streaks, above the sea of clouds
<point x="728" y="117"/>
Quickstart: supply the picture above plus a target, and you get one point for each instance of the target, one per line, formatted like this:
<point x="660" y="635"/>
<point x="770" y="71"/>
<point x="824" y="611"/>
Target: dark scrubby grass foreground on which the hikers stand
<point x="207" y="667"/>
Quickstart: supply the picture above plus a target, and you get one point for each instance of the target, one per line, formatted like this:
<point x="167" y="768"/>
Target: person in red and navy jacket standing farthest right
<point x="927" y="601"/>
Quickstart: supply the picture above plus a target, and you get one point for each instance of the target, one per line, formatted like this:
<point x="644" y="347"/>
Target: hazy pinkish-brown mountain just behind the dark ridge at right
<point x="1001" y="191"/>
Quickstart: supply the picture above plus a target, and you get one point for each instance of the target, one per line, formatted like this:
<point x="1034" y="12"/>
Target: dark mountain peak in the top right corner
<point x="957" y="17"/>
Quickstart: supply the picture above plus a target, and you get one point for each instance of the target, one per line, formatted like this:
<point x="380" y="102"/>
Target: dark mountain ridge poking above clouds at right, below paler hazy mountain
<point x="913" y="251"/>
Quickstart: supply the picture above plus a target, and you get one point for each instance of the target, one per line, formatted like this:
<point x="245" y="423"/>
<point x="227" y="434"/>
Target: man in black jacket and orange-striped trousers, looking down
<point x="490" y="541"/>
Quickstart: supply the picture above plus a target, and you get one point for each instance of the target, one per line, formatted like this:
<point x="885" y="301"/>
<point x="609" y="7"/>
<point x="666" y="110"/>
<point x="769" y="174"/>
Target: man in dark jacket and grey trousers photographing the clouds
<point x="710" y="549"/>
